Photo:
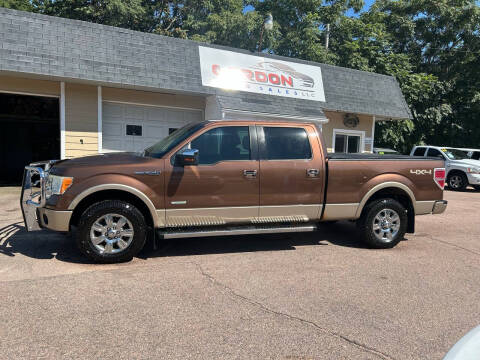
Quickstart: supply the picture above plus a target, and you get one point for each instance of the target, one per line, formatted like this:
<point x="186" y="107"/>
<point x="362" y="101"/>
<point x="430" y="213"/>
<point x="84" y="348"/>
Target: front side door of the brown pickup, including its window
<point x="223" y="188"/>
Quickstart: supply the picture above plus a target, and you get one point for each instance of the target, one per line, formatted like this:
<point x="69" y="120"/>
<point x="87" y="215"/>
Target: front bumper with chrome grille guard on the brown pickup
<point x="32" y="201"/>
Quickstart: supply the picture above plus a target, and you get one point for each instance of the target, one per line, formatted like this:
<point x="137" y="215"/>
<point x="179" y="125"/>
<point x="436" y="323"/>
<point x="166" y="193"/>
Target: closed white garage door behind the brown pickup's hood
<point x="129" y="127"/>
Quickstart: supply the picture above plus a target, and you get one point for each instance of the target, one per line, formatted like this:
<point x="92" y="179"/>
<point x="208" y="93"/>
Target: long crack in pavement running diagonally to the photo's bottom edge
<point x="263" y="307"/>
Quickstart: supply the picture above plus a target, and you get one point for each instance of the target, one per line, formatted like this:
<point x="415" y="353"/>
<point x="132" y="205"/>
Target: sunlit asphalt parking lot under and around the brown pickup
<point x="303" y="296"/>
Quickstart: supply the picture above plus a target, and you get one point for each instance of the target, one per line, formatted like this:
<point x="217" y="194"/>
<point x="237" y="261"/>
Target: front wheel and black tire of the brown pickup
<point x="115" y="226"/>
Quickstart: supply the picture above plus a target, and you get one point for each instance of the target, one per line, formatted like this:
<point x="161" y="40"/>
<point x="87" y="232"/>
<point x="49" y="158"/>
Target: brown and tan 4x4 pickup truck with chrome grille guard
<point x="228" y="178"/>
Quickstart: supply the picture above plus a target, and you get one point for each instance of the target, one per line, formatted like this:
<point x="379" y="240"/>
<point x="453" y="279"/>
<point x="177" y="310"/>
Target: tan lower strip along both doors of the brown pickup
<point x="239" y="215"/>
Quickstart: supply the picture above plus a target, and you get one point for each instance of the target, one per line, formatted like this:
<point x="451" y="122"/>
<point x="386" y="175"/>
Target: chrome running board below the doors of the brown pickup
<point x="246" y="230"/>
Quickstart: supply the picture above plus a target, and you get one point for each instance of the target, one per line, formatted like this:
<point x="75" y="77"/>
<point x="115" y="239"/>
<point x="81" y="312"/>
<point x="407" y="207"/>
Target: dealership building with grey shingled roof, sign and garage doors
<point x="71" y="88"/>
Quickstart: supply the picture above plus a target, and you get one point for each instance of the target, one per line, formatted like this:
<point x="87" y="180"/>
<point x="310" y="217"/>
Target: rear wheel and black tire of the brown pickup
<point x="376" y="223"/>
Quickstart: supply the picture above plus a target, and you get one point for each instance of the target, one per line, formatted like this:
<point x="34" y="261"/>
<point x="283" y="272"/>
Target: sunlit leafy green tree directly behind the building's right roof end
<point x="365" y="43"/>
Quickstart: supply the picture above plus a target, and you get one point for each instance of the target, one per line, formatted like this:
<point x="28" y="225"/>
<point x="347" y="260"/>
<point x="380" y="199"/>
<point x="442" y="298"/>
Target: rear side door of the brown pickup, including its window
<point x="291" y="173"/>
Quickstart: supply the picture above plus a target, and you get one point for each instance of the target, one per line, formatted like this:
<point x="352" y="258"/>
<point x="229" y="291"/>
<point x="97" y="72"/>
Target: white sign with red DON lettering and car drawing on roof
<point x="235" y="71"/>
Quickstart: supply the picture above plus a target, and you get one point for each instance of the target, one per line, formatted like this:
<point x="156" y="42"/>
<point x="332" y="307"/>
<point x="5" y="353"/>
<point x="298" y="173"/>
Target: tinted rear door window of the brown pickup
<point x="286" y="143"/>
